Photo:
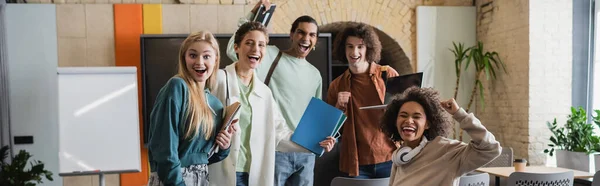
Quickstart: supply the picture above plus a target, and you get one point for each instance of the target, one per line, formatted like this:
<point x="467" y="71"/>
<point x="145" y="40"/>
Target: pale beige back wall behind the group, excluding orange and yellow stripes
<point x="394" y="17"/>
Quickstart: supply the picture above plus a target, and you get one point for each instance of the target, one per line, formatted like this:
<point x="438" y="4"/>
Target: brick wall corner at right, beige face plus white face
<point x="533" y="39"/>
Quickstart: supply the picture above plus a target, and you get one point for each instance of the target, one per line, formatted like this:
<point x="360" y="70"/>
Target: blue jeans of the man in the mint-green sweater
<point x="294" y="169"/>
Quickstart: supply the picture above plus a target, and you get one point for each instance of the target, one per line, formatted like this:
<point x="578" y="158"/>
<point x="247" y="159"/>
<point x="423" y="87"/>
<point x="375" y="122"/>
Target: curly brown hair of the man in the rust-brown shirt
<point x="364" y="32"/>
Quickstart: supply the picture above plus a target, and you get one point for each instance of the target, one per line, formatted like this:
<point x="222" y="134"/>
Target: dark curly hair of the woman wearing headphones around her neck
<point x="439" y="120"/>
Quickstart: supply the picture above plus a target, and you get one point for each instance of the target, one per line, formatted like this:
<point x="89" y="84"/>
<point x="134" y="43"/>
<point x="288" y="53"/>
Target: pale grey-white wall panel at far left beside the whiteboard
<point x="32" y="63"/>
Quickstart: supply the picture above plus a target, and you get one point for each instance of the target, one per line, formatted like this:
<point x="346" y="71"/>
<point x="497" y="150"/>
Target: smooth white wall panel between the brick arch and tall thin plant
<point x="437" y="28"/>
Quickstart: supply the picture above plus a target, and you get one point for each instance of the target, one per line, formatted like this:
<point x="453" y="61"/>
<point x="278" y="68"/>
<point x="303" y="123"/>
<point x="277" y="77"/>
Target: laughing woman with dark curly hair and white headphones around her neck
<point x="420" y="121"/>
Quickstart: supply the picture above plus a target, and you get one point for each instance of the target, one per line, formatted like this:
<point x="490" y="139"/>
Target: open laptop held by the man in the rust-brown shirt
<point x="397" y="85"/>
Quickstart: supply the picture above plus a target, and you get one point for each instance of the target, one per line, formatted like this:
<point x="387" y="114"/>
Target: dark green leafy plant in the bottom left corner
<point x="14" y="173"/>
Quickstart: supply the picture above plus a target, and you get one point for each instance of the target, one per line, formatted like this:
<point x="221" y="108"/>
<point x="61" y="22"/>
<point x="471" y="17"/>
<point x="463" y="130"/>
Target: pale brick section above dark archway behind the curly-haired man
<point x="396" y="19"/>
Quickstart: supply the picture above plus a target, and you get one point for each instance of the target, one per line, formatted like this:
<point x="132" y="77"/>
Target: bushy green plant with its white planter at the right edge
<point x="574" y="143"/>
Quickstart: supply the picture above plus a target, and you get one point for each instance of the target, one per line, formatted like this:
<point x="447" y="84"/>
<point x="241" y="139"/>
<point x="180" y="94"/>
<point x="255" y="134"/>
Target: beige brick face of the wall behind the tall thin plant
<point x="503" y="26"/>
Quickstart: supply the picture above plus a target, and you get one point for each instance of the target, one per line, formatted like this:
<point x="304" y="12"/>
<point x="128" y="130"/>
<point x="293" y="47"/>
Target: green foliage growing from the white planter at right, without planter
<point x="576" y="135"/>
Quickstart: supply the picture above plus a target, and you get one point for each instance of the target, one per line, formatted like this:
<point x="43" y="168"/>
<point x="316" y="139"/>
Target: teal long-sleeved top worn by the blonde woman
<point x="168" y="150"/>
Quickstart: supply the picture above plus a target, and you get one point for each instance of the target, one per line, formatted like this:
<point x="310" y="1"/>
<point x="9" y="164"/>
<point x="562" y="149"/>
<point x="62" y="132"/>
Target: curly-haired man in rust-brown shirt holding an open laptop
<point x="365" y="151"/>
